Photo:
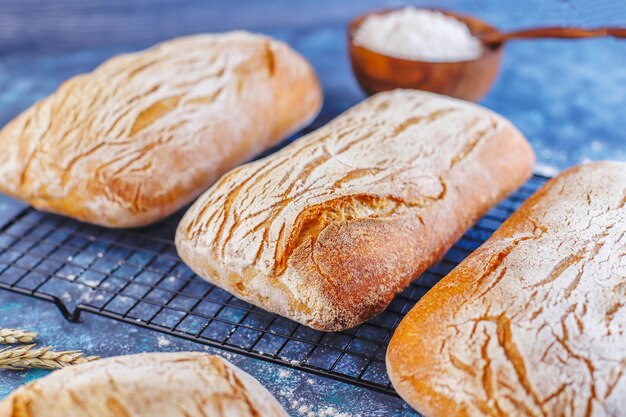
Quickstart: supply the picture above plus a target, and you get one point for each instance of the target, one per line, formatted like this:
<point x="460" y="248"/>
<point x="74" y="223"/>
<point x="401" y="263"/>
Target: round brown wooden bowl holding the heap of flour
<point x="468" y="80"/>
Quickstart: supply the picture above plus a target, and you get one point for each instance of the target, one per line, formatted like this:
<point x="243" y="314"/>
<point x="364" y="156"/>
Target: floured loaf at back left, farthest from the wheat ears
<point x="145" y="133"/>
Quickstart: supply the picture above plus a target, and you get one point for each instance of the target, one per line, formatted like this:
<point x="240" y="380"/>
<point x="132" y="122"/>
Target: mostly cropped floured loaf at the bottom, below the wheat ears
<point x="146" y="385"/>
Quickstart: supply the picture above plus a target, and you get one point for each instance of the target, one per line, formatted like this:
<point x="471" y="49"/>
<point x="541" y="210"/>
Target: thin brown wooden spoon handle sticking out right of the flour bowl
<point x="552" y="32"/>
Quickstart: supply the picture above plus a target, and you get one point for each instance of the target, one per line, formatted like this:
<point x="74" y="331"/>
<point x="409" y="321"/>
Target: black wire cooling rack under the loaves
<point x="135" y="276"/>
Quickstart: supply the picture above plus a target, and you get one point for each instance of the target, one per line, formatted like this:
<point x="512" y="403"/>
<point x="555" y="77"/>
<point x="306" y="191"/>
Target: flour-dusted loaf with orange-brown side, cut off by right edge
<point x="534" y="322"/>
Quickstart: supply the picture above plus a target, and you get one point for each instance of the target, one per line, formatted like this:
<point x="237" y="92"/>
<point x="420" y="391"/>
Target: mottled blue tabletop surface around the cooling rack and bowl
<point x="567" y="97"/>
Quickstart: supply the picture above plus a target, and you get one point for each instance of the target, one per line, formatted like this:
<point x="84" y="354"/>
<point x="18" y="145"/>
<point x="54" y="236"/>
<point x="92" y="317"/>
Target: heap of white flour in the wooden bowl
<point x="418" y="34"/>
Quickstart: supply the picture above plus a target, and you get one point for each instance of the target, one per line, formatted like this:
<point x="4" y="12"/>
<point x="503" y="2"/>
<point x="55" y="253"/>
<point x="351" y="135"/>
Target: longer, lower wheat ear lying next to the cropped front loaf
<point x="25" y="357"/>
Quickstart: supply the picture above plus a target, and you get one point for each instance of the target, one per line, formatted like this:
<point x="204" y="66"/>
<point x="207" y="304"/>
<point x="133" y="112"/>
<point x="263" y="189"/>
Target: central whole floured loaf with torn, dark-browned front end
<point x="329" y="229"/>
